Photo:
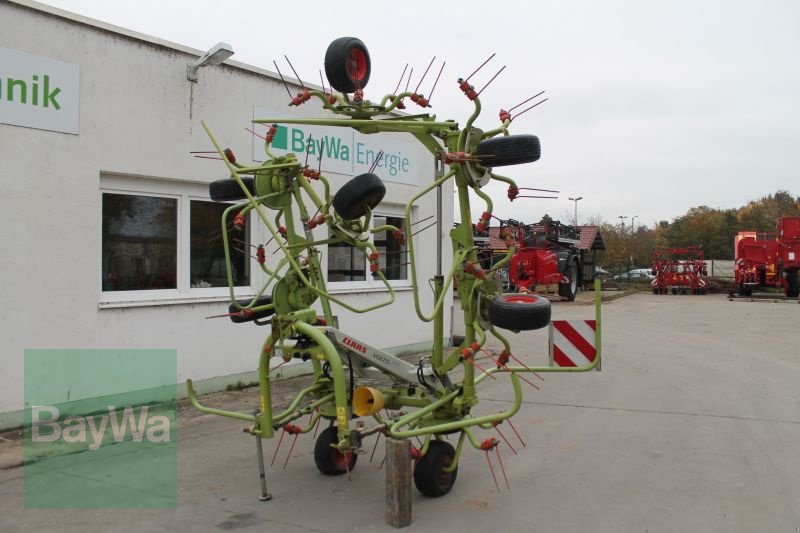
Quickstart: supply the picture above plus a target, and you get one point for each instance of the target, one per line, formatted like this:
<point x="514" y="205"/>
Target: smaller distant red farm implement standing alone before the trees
<point x="679" y="270"/>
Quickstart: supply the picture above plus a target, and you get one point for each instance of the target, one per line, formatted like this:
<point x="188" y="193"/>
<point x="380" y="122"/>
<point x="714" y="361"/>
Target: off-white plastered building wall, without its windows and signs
<point x="139" y="119"/>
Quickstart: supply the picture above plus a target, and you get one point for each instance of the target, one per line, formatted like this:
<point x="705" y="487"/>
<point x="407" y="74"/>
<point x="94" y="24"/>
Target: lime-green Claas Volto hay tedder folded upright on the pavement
<point x="429" y="400"/>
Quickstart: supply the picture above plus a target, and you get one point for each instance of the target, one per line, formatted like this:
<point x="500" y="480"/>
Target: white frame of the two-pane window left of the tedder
<point x="184" y="192"/>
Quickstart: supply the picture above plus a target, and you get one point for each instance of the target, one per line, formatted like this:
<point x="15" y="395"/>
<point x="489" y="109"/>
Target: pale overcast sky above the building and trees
<point x="654" y="107"/>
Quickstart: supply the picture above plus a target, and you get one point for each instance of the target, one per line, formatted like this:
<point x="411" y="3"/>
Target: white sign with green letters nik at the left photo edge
<point x="38" y="92"/>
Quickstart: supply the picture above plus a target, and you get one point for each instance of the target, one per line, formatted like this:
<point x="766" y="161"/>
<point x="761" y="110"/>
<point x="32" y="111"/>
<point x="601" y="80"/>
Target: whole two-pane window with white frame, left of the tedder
<point x="162" y="242"/>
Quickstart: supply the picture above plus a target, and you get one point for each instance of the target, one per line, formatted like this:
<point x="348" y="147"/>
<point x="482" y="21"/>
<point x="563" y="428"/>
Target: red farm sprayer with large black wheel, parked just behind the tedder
<point x="548" y="254"/>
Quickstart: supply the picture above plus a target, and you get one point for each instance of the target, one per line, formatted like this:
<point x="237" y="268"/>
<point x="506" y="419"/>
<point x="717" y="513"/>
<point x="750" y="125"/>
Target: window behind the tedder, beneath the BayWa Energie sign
<point x="348" y="264"/>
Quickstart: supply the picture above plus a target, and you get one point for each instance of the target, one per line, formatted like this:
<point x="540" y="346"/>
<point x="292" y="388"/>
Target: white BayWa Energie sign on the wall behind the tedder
<point x="343" y="150"/>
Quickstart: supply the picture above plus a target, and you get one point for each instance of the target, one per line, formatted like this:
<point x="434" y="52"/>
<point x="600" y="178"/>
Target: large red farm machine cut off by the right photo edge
<point x="769" y="259"/>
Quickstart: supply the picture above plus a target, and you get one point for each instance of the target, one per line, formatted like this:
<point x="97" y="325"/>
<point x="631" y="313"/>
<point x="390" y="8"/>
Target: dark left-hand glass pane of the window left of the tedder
<point x="140" y="242"/>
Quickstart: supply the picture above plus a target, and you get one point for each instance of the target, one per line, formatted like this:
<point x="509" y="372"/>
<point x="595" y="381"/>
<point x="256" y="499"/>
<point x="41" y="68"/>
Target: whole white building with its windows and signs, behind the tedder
<point x="108" y="236"/>
